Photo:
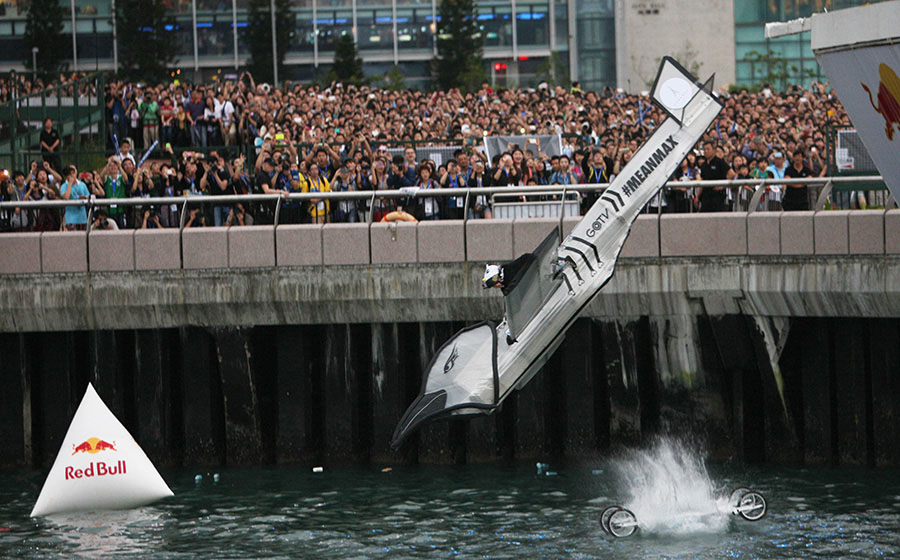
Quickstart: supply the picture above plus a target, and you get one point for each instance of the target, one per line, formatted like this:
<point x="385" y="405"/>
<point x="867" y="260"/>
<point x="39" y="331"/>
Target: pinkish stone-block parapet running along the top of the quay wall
<point x="868" y="232"/>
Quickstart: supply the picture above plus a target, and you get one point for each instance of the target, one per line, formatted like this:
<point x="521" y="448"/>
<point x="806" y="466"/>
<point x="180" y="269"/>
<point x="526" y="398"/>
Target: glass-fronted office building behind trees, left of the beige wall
<point x="210" y="36"/>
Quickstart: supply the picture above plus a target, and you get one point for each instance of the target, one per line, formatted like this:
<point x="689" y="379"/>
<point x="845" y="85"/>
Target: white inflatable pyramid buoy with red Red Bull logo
<point x="99" y="466"/>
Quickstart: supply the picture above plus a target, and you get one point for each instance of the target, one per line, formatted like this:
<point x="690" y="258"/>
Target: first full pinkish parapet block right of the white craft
<point x="716" y="233"/>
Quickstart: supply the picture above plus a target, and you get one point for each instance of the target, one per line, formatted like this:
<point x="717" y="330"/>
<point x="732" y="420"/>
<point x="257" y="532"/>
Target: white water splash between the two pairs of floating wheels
<point x="669" y="490"/>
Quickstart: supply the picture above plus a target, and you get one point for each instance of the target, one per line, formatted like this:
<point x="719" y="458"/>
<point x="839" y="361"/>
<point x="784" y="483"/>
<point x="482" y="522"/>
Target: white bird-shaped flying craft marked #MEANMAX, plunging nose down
<point x="475" y="370"/>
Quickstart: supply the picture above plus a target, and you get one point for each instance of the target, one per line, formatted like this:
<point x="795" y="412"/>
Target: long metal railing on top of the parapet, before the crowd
<point x="560" y="191"/>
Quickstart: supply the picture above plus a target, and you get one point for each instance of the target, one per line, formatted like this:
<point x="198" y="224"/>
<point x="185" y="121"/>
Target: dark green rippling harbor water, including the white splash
<point x="476" y="512"/>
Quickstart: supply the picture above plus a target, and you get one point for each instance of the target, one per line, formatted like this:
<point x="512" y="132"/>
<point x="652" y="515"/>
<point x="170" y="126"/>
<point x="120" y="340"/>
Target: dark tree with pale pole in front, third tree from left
<point x="259" y="36"/>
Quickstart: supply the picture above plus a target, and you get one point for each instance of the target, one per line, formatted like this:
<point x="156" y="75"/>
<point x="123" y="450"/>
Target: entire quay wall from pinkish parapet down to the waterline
<point x="773" y="337"/>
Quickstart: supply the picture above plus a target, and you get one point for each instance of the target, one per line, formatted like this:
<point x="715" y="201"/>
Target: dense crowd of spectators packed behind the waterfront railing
<point x="237" y="137"/>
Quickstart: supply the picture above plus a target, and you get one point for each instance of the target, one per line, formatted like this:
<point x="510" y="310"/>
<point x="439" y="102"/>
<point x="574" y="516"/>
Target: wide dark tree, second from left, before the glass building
<point x="146" y="35"/>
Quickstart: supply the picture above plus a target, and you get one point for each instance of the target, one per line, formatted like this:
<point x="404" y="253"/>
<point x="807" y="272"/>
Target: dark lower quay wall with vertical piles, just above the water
<point x="332" y="394"/>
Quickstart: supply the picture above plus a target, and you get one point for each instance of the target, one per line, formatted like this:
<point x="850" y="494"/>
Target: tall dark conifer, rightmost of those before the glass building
<point x="458" y="63"/>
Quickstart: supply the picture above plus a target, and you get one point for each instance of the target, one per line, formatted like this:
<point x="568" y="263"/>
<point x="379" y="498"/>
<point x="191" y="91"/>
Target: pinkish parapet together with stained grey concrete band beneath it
<point x="797" y="264"/>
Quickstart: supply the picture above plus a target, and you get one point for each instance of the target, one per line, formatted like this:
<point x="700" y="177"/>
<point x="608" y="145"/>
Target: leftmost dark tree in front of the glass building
<point x="43" y="29"/>
